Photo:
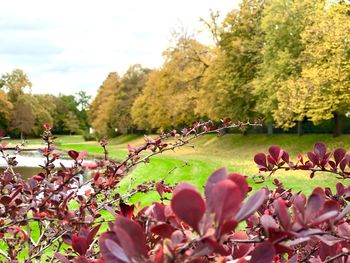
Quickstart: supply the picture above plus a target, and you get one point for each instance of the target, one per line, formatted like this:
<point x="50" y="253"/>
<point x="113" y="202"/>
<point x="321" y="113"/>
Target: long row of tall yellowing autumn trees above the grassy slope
<point x="287" y="61"/>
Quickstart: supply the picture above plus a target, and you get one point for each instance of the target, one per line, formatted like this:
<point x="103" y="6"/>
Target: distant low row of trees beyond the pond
<point x="23" y="114"/>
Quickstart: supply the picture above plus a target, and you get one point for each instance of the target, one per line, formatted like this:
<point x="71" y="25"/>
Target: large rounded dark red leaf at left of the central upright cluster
<point x="189" y="206"/>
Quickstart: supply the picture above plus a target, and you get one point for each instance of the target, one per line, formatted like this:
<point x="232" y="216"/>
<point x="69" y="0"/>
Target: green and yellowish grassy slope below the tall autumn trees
<point x="233" y="151"/>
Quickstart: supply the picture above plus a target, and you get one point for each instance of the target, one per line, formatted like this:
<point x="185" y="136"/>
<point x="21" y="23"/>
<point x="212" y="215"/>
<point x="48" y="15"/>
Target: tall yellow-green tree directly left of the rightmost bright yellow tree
<point x="282" y="23"/>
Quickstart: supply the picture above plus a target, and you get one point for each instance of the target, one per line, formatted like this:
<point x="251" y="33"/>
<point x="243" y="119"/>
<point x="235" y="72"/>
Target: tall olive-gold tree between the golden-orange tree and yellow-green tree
<point x="237" y="57"/>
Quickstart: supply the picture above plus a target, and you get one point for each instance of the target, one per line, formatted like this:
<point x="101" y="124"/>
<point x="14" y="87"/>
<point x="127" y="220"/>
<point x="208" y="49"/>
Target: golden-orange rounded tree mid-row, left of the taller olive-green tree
<point x="170" y="95"/>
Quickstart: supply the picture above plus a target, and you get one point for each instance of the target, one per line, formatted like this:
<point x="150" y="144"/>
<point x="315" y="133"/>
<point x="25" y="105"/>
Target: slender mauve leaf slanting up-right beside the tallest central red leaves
<point x="253" y="203"/>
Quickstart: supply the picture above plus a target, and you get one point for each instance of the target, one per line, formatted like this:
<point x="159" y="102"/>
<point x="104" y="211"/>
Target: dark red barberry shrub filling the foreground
<point x="56" y="216"/>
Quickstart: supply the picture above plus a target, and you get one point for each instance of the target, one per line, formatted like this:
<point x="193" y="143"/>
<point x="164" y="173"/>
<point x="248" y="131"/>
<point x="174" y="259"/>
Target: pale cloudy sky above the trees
<point x="67" y="46"/>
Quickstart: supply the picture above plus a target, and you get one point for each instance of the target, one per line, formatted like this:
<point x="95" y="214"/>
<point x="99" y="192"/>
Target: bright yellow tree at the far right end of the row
<point x="321" y="90"/>
